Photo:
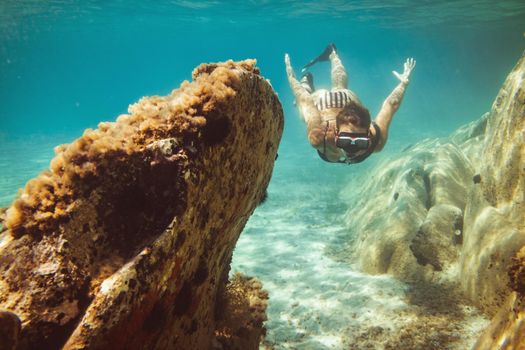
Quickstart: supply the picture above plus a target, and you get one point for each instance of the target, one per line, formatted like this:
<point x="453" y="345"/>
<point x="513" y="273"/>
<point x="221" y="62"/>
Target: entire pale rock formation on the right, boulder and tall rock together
<point x="452" y="210"/>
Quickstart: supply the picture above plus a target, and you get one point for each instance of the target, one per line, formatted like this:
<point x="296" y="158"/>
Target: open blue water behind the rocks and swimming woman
<point x="67" y="65"/>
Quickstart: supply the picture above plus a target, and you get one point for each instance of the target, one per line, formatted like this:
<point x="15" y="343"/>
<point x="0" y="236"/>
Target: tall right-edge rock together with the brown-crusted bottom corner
<point x="493" y="262"/>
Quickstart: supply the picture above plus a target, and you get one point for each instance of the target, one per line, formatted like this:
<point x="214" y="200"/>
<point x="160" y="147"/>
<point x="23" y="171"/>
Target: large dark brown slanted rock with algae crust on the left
<point x="126" y="241"/>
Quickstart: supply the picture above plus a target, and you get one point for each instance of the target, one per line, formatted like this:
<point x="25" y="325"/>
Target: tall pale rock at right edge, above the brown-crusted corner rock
<point x="495" y="212"/>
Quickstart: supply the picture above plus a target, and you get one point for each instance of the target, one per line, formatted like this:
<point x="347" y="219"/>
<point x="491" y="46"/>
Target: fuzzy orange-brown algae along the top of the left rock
<point x="83" y="165"/>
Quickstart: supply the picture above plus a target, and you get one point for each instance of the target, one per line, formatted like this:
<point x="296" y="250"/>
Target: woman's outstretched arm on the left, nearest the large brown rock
<point x="305" y="103"/>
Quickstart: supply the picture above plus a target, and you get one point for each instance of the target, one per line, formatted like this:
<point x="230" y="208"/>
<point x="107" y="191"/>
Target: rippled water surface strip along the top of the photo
<point x="397" y="13"/>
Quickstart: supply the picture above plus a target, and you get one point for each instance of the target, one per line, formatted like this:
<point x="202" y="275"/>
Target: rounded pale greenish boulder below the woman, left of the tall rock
<point x="406" y="219"/>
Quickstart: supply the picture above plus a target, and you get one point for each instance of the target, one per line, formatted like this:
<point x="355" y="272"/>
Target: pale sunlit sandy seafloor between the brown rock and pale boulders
<point x="318" y="302"/>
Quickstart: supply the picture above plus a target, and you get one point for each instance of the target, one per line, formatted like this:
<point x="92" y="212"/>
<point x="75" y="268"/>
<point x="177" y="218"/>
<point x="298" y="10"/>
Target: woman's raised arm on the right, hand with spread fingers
<point x="392" y="102"/>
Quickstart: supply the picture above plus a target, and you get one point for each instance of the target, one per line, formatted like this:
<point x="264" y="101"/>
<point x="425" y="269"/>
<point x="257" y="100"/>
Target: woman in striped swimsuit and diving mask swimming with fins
<point x="339" y="126"/>
